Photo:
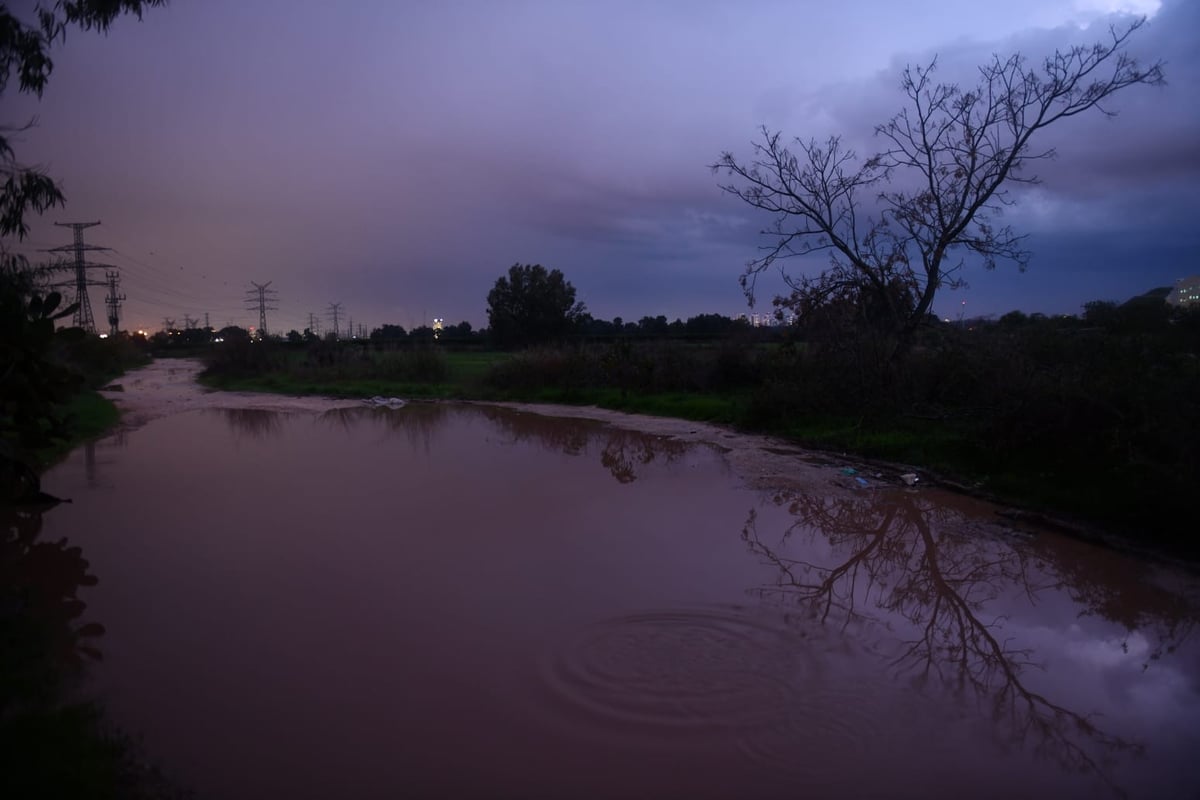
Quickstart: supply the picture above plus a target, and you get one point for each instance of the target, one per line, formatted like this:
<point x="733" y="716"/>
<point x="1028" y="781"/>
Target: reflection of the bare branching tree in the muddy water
<point x="901" y="557"/>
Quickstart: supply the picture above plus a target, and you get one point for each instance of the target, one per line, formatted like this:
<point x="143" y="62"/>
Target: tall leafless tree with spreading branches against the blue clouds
<point x="899" y="225"/>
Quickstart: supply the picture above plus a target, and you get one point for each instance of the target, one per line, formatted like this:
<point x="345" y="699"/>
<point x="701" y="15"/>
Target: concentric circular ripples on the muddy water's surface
<point x="682" y="670"/>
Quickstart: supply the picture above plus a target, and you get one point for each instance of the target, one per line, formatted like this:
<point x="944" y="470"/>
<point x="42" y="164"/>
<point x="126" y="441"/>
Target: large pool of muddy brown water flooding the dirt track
<point x="465" y="601"/>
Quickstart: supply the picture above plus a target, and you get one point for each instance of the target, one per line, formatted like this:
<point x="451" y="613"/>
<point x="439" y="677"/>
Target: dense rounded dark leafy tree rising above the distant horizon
<point x="531" y="306"/>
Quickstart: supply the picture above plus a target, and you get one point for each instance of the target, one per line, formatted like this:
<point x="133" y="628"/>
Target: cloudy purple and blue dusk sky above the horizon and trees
<point x="398" y="158"/>
